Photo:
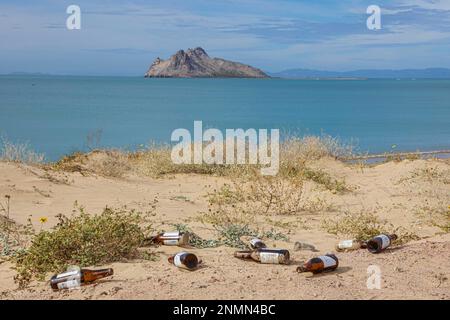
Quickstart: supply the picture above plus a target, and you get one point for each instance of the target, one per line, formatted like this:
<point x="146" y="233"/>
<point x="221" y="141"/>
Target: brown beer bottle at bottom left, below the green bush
<point x="77" y="277"/>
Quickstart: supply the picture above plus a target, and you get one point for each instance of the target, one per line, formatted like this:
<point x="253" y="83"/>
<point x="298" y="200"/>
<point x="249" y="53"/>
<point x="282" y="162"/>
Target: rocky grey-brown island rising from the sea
<point x="195" y="63"/>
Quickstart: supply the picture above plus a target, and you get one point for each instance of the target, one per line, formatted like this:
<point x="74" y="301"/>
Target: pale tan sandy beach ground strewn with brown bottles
<point x="418" y="270"/>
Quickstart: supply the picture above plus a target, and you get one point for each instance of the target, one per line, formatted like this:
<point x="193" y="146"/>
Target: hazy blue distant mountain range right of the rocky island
<point x="436" y="73"/>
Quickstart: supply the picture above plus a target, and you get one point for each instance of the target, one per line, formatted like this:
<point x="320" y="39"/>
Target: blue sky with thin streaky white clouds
<point x="124" y="37"/>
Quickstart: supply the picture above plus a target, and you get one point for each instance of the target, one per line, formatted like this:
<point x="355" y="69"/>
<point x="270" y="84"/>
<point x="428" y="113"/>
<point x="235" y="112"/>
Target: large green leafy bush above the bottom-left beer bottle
<point x="84" y="240"/>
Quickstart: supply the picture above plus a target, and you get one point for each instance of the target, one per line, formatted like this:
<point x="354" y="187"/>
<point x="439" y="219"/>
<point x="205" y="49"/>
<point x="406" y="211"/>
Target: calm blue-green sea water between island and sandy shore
<point x="55" y="114"/>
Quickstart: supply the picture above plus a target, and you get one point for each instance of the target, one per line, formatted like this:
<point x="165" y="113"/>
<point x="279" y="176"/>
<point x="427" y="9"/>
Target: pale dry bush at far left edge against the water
<point x="19" y="152"/>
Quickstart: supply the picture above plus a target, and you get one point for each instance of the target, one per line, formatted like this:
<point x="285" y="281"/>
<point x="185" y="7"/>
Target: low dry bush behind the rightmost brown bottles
<point x="363" y="226"/>
